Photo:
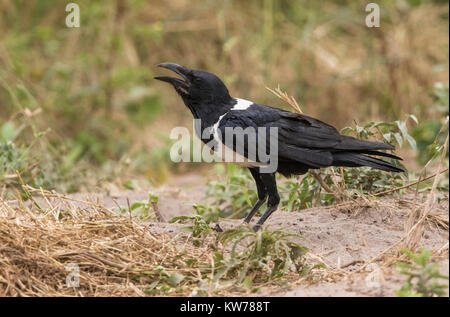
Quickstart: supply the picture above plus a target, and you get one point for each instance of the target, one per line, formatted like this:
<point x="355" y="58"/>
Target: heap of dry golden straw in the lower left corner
<point x="116" y="256"/>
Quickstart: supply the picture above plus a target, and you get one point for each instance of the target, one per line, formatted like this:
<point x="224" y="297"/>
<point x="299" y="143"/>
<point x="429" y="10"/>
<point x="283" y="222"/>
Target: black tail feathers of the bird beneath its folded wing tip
<point x="352" y="159"/>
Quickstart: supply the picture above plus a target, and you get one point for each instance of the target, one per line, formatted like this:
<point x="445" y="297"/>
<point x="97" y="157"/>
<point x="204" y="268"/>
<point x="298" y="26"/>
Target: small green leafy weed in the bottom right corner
<point x="422" y="276"/>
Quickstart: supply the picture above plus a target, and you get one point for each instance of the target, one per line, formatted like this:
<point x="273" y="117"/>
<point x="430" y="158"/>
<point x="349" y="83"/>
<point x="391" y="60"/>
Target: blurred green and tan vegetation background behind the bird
<point x="79" y="106"/>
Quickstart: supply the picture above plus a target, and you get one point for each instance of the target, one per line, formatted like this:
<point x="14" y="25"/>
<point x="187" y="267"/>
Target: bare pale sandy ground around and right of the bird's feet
<point x="341" y="238"/>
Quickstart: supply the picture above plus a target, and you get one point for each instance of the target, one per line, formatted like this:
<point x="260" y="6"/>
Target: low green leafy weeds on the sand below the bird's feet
<point x="244" y="257"/>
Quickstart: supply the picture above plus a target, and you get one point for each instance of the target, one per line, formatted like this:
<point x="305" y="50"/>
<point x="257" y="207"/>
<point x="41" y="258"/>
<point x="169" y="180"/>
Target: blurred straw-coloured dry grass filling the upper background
<point x="339" y="76"/>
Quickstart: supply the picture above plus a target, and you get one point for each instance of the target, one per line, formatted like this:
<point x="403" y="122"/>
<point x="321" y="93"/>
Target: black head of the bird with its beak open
<point x="196" y="86"/>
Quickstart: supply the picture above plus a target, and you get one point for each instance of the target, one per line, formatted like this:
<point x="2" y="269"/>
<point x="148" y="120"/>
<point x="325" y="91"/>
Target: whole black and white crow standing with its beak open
<point x="303" y="142"/>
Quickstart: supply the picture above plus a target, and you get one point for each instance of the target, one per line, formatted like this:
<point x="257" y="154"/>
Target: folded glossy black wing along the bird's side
<point x="301" y="138"/>
